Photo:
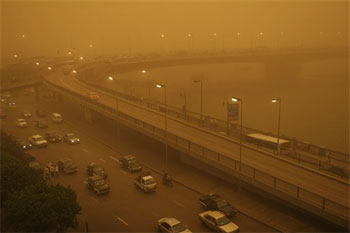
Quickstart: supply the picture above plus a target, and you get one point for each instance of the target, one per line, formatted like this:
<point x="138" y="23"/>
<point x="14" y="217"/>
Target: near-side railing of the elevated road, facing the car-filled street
<point x="221" y="161"/>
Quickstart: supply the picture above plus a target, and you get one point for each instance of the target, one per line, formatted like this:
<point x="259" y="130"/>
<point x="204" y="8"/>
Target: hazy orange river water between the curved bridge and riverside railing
<point x="315" y="106"/>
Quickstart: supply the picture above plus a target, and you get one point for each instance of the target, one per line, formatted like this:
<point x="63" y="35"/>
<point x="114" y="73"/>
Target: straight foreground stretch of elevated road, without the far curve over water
<point x="308" y="188"/>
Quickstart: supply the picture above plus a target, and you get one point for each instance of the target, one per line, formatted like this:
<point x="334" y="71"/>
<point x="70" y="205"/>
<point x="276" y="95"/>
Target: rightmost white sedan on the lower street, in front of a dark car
<point x="218" y="221"/>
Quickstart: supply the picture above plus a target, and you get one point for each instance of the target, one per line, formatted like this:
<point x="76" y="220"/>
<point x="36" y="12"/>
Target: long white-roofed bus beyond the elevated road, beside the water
<point x="268" y="141"/>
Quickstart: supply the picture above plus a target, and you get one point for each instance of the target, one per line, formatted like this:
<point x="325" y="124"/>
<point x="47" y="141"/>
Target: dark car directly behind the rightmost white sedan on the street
<point x="216" y="202"/>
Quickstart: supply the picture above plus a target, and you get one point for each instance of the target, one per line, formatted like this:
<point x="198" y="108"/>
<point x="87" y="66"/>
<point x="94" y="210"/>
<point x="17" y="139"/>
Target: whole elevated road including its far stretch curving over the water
<point x="309" y="188"/>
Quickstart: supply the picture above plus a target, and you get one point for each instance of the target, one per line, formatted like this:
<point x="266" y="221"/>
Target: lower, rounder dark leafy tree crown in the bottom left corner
<point x="42" y="208"/>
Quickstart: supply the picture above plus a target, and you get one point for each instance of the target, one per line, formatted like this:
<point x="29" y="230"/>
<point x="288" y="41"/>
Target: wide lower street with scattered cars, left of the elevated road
<point x="123" y="188"/>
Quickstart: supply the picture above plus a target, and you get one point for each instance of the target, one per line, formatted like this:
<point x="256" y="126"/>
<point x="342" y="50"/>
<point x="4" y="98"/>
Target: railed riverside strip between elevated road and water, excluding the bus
<point x="331" y="162"/>
